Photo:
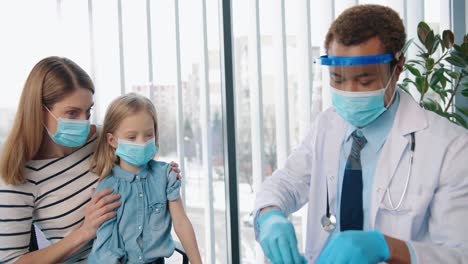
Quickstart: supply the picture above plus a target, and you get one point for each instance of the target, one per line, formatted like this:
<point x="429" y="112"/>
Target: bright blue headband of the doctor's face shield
<point x="355" y="60"/>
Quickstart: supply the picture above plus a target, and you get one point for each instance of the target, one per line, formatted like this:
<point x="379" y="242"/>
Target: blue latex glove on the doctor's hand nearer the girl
<point x="278" y="239"/>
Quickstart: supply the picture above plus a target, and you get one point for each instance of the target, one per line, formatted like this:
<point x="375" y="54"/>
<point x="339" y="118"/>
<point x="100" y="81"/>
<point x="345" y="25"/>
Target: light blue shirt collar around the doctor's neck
<point x="376" y="132"/>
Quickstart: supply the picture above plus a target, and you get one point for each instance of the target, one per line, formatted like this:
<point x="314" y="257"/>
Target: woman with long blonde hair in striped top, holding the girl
<point x="45" y="178"/>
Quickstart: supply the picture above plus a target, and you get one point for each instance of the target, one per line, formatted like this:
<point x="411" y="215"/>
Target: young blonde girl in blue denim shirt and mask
<point x="141" y="231"/>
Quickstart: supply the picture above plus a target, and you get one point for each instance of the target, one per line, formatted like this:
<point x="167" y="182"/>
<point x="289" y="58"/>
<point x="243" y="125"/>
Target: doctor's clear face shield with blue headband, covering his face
<point x="361" y="86"/>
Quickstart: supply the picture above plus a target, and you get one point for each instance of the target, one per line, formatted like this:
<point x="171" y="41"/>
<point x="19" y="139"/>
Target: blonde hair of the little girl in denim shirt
<point x="124" y="106"/>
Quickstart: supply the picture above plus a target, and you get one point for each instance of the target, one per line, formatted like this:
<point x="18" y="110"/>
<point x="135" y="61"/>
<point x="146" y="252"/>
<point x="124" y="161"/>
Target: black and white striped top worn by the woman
<point x="53" y="199"/>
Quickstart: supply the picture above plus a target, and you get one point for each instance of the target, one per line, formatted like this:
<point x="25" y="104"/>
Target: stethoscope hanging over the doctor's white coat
<point x="329" y="220"/>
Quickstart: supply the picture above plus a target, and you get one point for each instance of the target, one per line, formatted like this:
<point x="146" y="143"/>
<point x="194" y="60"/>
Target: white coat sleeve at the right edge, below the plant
<point x="448" y="217"/>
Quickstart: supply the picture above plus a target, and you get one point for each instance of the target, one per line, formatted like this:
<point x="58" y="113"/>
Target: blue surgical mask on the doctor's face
<point x="359" y="108"/>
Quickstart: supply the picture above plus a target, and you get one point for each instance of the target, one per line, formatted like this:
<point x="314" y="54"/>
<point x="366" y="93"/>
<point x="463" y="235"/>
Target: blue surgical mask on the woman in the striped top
<point x="70" y="132"/>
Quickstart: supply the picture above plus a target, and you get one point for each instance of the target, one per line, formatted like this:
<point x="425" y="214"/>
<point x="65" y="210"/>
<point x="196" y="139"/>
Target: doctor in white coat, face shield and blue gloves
<point x="384" y="179"/>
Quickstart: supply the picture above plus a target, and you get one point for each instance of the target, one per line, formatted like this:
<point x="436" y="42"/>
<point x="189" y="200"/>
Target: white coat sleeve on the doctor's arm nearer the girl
<point x="288" y="187"/>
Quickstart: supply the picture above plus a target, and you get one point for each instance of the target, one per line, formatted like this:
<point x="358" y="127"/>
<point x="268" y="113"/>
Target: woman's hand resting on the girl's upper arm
<point x="98" y="210"/>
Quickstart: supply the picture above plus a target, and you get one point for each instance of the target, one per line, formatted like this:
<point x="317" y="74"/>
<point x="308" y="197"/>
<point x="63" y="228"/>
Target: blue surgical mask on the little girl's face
<point x="136" y="154"/>
